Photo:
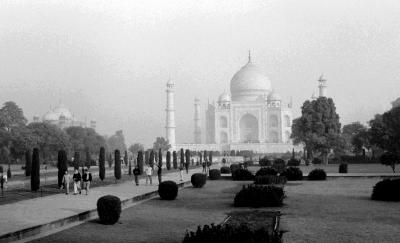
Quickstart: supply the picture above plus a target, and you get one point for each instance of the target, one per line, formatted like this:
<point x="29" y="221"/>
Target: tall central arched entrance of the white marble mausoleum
<point x="248" y="126"/>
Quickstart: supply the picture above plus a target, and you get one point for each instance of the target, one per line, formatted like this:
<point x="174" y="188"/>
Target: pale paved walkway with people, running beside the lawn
<point x="38" y="211"/>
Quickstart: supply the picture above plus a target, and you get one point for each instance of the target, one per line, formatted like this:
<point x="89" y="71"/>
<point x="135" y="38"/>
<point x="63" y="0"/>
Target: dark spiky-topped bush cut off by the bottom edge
<point x="228" y="234"/>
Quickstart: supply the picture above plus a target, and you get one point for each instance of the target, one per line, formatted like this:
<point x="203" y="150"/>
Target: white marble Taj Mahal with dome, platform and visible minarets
<point x="252" y="116"/>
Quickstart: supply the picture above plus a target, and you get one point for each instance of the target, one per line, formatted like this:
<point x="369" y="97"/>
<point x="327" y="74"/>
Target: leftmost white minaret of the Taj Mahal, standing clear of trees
<point x="170" y="112"/>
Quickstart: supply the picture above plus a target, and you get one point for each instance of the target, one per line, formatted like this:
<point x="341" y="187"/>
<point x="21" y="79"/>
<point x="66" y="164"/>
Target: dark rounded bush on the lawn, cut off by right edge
<point x="386" y="190"/>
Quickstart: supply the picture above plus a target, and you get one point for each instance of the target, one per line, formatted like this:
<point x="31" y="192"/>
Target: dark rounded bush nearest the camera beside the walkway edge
<point x="109" y="209"/>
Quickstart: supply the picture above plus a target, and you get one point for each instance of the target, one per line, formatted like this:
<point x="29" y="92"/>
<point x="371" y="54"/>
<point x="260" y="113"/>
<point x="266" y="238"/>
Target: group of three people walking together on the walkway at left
<point x="81" y="182"/>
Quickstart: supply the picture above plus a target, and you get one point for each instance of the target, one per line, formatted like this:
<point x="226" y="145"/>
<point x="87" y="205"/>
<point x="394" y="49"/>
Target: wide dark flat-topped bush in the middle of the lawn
<point x="259" y="196"/>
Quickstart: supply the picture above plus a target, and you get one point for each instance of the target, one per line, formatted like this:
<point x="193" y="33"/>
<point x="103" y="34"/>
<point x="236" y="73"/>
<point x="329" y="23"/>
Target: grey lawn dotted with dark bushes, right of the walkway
<point x="336" y="210"/>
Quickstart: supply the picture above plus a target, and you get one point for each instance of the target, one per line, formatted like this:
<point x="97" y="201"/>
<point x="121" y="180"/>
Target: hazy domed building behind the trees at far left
<point x="62" y="117"/>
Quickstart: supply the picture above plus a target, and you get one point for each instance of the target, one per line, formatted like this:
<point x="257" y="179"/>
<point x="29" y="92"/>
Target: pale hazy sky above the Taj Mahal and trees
<point x="110" y="60"/>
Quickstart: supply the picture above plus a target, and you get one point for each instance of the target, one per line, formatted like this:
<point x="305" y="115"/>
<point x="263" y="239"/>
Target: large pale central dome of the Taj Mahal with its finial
<point x="249" y="83"/>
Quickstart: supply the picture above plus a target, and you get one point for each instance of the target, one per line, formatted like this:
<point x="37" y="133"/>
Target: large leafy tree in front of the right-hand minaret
<point x="318" y="128"/>
